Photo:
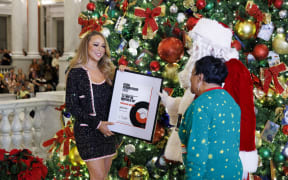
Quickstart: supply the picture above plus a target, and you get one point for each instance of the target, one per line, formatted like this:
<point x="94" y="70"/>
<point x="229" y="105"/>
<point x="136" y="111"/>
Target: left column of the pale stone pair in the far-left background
<point x="16" y="23"/>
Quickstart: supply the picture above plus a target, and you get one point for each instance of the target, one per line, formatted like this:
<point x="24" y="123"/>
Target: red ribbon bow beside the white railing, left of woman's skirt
<point x="63" y="135"/>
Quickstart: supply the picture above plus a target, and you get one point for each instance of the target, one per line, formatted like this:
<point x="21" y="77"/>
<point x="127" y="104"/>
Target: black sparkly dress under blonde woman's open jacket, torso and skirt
<point x="91" y="143"/>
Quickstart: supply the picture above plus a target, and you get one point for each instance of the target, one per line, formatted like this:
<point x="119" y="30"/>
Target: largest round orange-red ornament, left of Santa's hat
<point x="171" y="49"/>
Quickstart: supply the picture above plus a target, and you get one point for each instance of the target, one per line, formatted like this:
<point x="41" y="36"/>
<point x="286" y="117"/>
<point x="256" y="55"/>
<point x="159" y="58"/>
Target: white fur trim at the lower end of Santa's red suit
<point x="249" y="161"/>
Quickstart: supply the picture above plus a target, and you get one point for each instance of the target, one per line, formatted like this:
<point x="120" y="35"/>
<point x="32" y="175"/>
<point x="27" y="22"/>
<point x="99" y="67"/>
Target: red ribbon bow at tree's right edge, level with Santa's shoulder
<point x="273" y="72"/>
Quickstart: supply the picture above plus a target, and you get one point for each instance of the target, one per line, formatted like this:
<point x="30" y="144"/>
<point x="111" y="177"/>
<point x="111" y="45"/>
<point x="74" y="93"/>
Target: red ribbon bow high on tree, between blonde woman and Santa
<point x="149" y="18"/>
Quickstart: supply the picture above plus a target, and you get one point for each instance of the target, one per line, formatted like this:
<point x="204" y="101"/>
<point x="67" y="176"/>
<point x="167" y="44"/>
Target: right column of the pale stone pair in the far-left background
<point x="33" y="51"/>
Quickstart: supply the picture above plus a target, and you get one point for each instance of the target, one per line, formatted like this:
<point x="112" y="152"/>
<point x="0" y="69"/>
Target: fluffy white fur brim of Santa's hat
<point x="213" y="32"/>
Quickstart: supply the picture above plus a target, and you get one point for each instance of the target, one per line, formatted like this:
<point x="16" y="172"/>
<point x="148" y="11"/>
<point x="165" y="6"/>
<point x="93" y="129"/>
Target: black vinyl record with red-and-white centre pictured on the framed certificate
<point x="139" y="113"/>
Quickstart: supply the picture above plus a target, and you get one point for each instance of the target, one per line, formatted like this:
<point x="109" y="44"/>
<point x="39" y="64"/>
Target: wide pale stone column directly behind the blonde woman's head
<point x="72" y="29"/>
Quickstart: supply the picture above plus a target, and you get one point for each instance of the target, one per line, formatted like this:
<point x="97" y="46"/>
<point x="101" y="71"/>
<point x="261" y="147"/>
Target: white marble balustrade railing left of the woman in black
<point x="27" y="123"/>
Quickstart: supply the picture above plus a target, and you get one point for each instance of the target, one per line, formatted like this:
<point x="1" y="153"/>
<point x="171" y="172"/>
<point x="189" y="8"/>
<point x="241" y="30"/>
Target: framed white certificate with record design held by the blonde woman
<point x="134" y="104"/>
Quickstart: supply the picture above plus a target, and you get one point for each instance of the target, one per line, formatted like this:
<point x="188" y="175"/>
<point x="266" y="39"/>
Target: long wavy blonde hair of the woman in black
<point x="105" y="65"/>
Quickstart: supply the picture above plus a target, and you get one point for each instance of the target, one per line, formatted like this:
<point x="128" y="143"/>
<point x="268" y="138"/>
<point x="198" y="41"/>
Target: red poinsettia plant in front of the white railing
<point x="22" y="165"/>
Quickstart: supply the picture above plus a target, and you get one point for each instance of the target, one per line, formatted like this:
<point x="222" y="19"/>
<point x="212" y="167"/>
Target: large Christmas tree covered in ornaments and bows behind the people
<point x="151" y="37"/>
